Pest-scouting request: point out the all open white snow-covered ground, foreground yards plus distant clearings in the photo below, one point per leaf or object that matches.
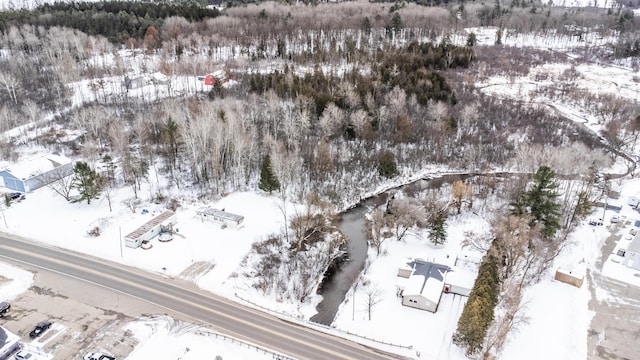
(222, 250)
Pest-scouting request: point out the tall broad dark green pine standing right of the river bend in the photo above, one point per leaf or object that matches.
(541, 201)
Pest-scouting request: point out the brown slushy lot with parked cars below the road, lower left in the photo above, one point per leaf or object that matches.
(85, 317)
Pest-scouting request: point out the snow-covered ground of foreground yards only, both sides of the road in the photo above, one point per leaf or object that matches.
(202, 242)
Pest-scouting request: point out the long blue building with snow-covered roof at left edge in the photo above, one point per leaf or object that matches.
(35, 173)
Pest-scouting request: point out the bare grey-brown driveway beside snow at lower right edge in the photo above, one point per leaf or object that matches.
(615, 328)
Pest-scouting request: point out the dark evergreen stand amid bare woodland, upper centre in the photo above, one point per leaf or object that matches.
(412, 69)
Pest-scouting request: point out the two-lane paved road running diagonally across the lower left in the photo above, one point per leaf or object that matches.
(184, 298)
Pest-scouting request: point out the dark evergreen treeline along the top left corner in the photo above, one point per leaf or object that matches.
(115, 20)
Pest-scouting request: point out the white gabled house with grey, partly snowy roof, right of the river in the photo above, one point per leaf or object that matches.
(425, 285)
